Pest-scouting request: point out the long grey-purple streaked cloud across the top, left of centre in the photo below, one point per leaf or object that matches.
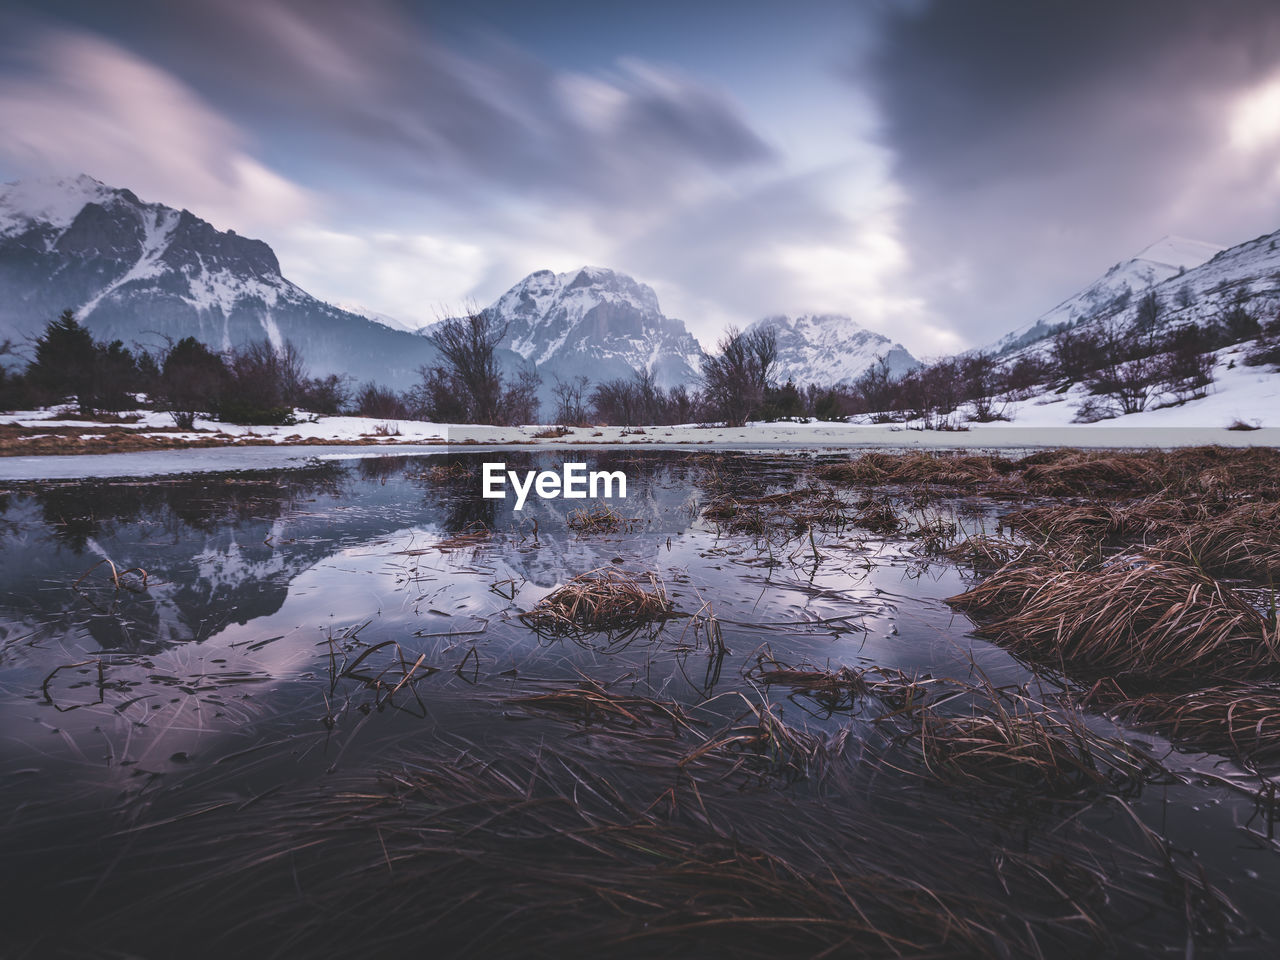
(368, 85)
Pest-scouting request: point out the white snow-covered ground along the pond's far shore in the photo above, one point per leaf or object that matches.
(1240, 395)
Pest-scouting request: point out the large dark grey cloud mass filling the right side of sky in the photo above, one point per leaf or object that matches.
(1041, 143)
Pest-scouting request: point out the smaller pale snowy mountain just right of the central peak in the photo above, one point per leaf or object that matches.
(831, 349)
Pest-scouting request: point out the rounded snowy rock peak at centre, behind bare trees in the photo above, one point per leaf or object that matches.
(596, 323)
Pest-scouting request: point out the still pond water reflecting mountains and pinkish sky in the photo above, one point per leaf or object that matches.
(231, 670)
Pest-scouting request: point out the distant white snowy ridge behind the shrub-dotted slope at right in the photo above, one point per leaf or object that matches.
(1116, 291)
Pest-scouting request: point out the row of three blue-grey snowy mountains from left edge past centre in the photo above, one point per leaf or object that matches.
(145, 272)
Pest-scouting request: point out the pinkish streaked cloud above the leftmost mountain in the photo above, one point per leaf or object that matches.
(83, 104)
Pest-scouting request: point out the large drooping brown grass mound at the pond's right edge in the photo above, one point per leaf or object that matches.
(1142, 620)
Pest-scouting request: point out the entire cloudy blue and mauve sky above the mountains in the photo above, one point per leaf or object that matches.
(940, 172)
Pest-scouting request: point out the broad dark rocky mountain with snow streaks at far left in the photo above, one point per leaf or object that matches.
(143, 272)
